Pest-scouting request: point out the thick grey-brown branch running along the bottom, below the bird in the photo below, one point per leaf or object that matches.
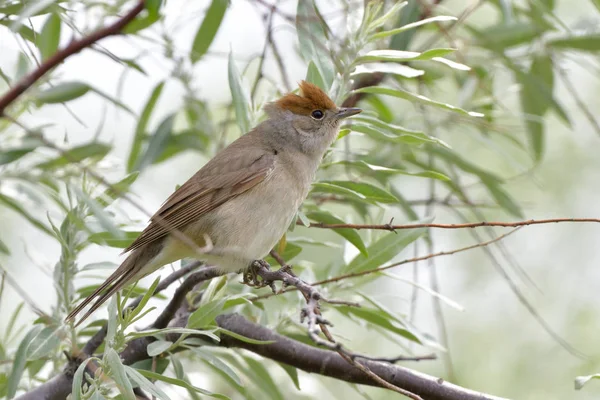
(295, 354)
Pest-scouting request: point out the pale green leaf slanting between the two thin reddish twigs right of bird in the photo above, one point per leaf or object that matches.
(384, 249)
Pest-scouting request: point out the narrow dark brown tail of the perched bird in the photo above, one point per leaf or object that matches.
(128, 272)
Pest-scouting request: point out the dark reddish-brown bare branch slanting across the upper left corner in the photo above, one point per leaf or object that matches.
(74, 47)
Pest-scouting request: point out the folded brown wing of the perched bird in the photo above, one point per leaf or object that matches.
(218, 181)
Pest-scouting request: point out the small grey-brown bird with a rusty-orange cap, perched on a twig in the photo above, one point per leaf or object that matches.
(241, 202)
